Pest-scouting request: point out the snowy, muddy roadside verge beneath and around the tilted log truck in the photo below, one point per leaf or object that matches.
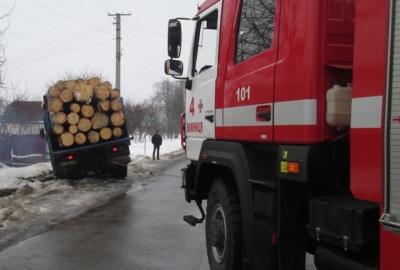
(31, 204)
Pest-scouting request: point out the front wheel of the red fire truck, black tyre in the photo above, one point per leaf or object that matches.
(223, 227)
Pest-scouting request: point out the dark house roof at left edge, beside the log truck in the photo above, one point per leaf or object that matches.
(23, 112)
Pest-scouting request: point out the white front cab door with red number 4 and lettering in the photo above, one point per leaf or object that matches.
(200, 98)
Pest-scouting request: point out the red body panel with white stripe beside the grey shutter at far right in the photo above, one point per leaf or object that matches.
(368, 111)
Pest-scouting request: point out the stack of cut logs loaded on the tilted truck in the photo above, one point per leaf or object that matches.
(85, 111)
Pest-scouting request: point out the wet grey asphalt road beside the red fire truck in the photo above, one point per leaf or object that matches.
(142, 230)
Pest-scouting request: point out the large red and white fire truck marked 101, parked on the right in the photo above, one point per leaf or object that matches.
(292, 131)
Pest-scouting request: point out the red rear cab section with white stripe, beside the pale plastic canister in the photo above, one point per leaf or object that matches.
(315, 50)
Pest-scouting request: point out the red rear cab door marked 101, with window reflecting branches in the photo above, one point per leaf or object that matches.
(248, 94)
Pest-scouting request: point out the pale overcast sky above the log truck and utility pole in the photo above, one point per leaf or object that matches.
(47, 39)
